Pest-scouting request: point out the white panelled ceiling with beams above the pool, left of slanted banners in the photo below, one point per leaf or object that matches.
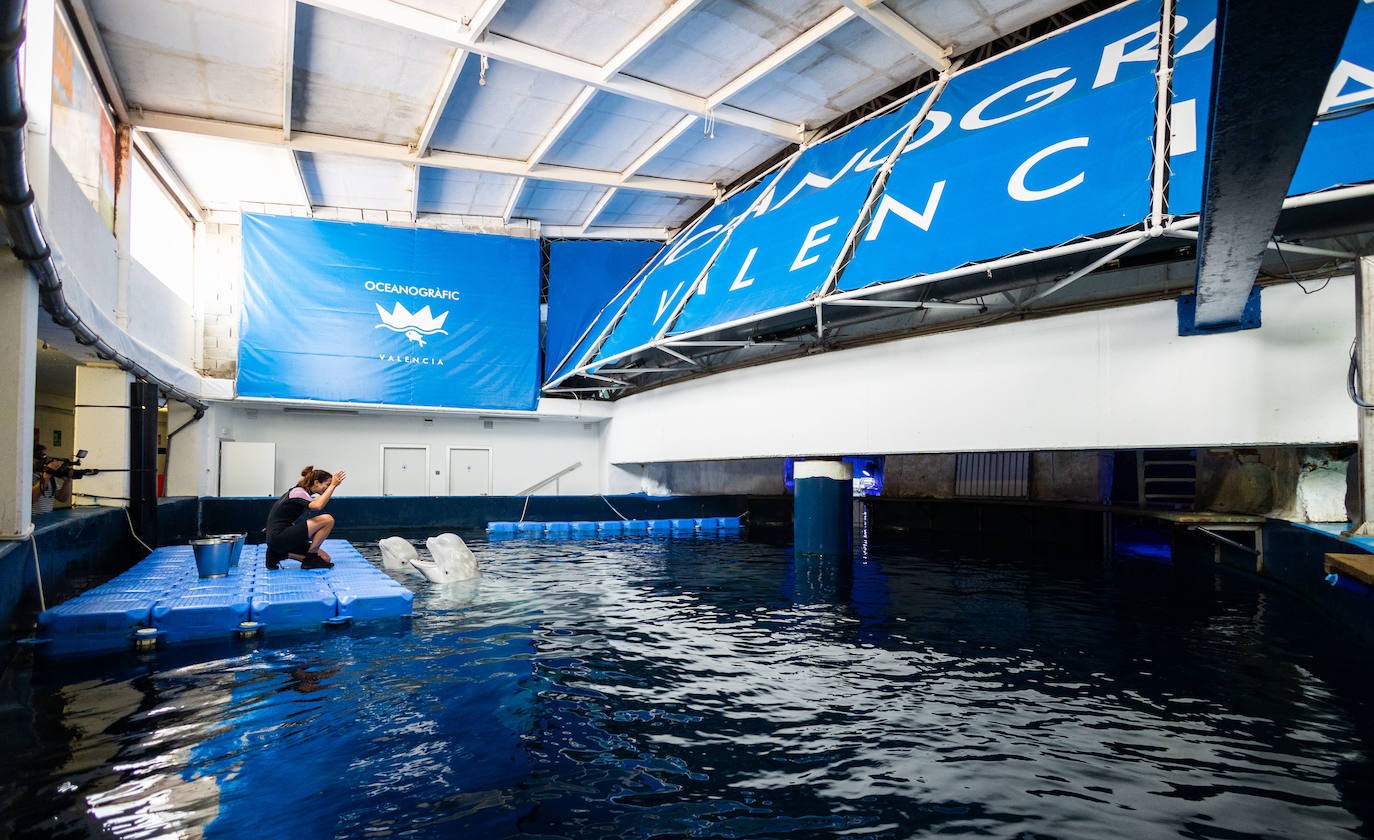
(592, 118)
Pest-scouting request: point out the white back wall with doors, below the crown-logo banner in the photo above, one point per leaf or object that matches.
(524, 452)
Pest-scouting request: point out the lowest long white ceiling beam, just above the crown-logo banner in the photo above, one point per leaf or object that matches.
(155, 122)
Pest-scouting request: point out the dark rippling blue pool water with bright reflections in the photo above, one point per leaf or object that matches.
(700, 688)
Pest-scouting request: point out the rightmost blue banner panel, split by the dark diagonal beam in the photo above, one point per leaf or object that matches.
(1338, 149)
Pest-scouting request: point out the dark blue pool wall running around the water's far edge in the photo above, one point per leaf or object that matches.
(100, 538)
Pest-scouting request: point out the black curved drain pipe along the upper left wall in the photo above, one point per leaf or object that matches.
(23, 221)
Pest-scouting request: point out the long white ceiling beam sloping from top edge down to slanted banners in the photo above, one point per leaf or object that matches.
(502, 49)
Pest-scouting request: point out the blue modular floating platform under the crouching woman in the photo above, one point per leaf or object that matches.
(164, 593)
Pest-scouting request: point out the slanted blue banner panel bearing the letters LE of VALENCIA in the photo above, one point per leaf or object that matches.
(785, 255)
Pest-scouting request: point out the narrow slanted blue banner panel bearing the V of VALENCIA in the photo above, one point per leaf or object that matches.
(677, 270)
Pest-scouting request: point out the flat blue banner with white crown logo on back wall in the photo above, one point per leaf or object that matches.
(362, 313)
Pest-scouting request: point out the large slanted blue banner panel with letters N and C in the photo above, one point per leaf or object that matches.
(1033, 149)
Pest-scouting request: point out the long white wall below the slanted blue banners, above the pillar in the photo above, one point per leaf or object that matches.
(1114, 379)
